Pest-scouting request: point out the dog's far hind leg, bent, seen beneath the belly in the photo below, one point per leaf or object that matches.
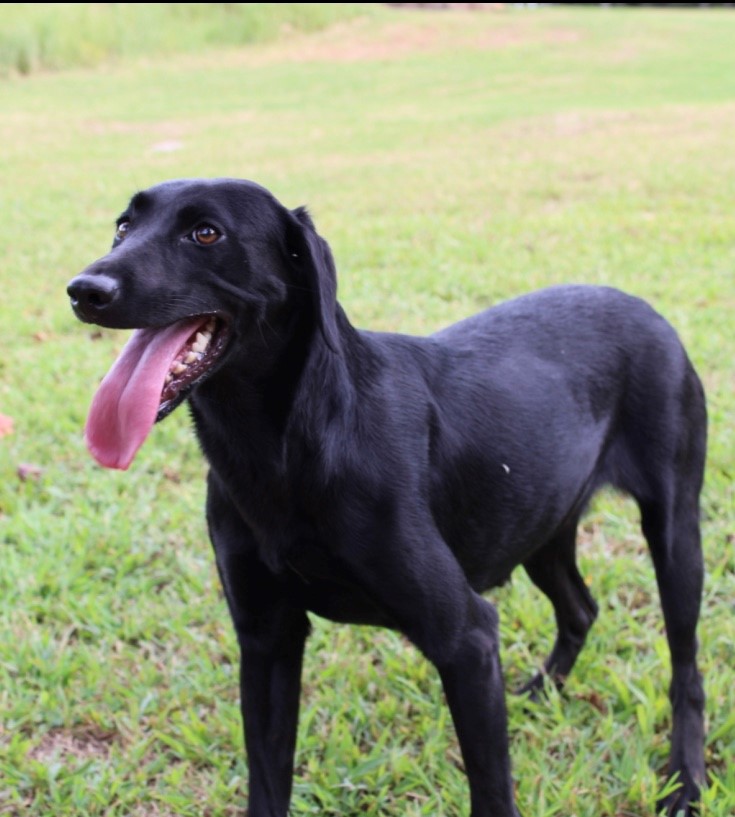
(553, 569)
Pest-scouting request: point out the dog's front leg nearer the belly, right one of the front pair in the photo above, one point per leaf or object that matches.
(416, 579)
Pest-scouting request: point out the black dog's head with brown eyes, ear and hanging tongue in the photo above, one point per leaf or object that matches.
(202, 270)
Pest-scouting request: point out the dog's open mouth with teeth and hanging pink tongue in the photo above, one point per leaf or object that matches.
(156, 370)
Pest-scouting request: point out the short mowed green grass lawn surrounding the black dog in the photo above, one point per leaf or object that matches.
(452, 160)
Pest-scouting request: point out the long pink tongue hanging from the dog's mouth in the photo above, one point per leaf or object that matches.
(125, 406)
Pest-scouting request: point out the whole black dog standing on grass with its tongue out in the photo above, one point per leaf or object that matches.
(390, 480)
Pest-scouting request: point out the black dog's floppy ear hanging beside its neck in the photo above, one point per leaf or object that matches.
(311, 254)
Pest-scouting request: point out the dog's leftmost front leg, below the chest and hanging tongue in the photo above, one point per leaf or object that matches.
(271, 632)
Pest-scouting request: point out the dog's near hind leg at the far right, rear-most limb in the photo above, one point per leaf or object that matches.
(670, 447)
